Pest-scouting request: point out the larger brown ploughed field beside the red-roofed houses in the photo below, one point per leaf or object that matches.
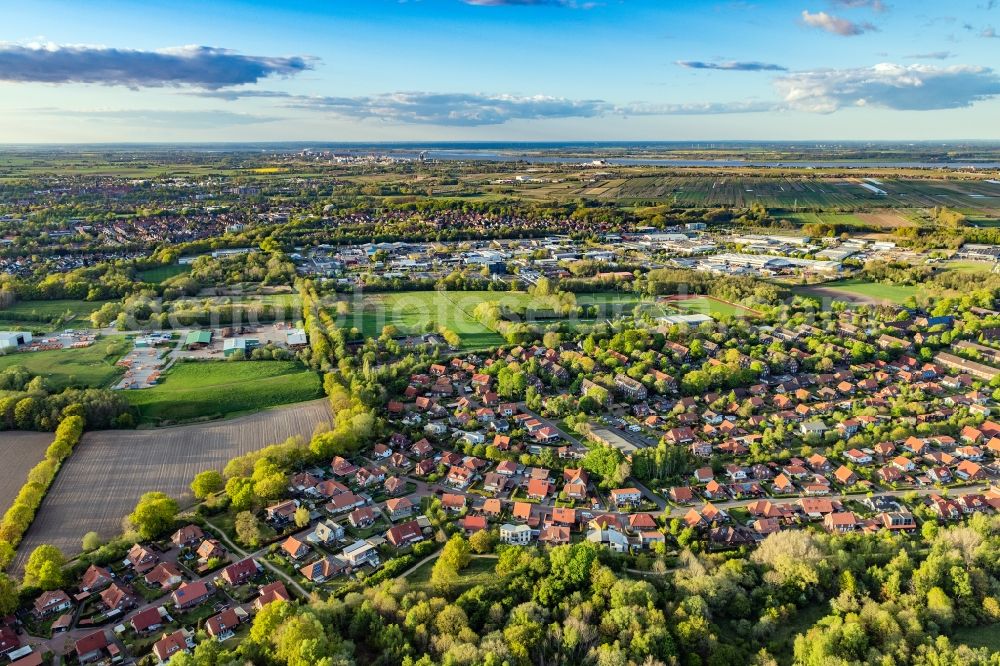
(109, 470)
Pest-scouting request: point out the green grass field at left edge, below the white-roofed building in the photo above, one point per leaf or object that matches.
(92, 366)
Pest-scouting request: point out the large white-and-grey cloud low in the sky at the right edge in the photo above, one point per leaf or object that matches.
(890, 86)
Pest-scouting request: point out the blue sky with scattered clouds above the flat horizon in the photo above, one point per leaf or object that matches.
(498, 70)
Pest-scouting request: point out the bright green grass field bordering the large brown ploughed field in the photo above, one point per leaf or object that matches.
(213, 389)
